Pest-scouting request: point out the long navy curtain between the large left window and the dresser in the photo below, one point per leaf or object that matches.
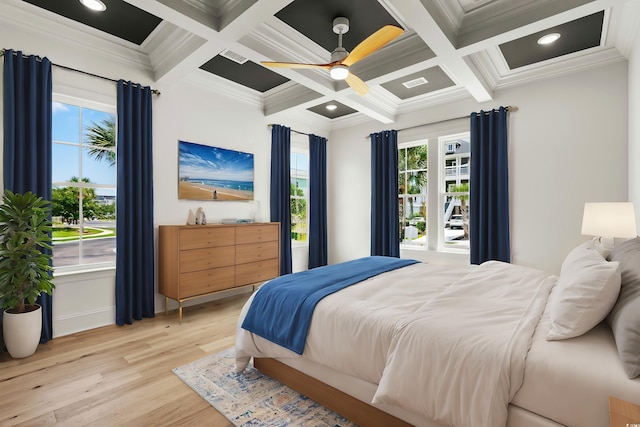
(134, 210)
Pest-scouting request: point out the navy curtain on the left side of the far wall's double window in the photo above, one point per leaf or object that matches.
(385, 239)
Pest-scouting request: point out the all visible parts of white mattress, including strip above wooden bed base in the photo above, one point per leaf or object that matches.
(565, 383)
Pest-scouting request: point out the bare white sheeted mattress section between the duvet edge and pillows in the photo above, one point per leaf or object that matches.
(570, 381)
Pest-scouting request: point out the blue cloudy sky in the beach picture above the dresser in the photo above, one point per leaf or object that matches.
(198, 161)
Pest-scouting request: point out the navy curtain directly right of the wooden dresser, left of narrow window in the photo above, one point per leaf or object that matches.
(280, 191)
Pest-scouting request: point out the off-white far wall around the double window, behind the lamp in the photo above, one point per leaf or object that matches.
(567, 146)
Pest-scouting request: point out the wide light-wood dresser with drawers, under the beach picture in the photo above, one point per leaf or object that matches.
(198, 260)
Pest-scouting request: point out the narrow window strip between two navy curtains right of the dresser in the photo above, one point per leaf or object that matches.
(299, 194)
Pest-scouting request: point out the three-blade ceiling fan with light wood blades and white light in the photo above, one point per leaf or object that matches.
(341, 60)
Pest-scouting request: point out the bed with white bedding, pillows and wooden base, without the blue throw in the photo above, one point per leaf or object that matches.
(496, 344)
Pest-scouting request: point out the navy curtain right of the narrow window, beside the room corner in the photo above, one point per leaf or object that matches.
(318, 252)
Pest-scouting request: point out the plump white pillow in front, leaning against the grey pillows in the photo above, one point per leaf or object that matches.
(585, 293)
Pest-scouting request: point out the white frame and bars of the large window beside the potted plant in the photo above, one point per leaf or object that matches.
(97, 106)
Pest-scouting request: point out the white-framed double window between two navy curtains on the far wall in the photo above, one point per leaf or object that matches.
(433, 183)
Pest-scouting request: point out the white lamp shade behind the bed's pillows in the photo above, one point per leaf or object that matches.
(611, 219)
